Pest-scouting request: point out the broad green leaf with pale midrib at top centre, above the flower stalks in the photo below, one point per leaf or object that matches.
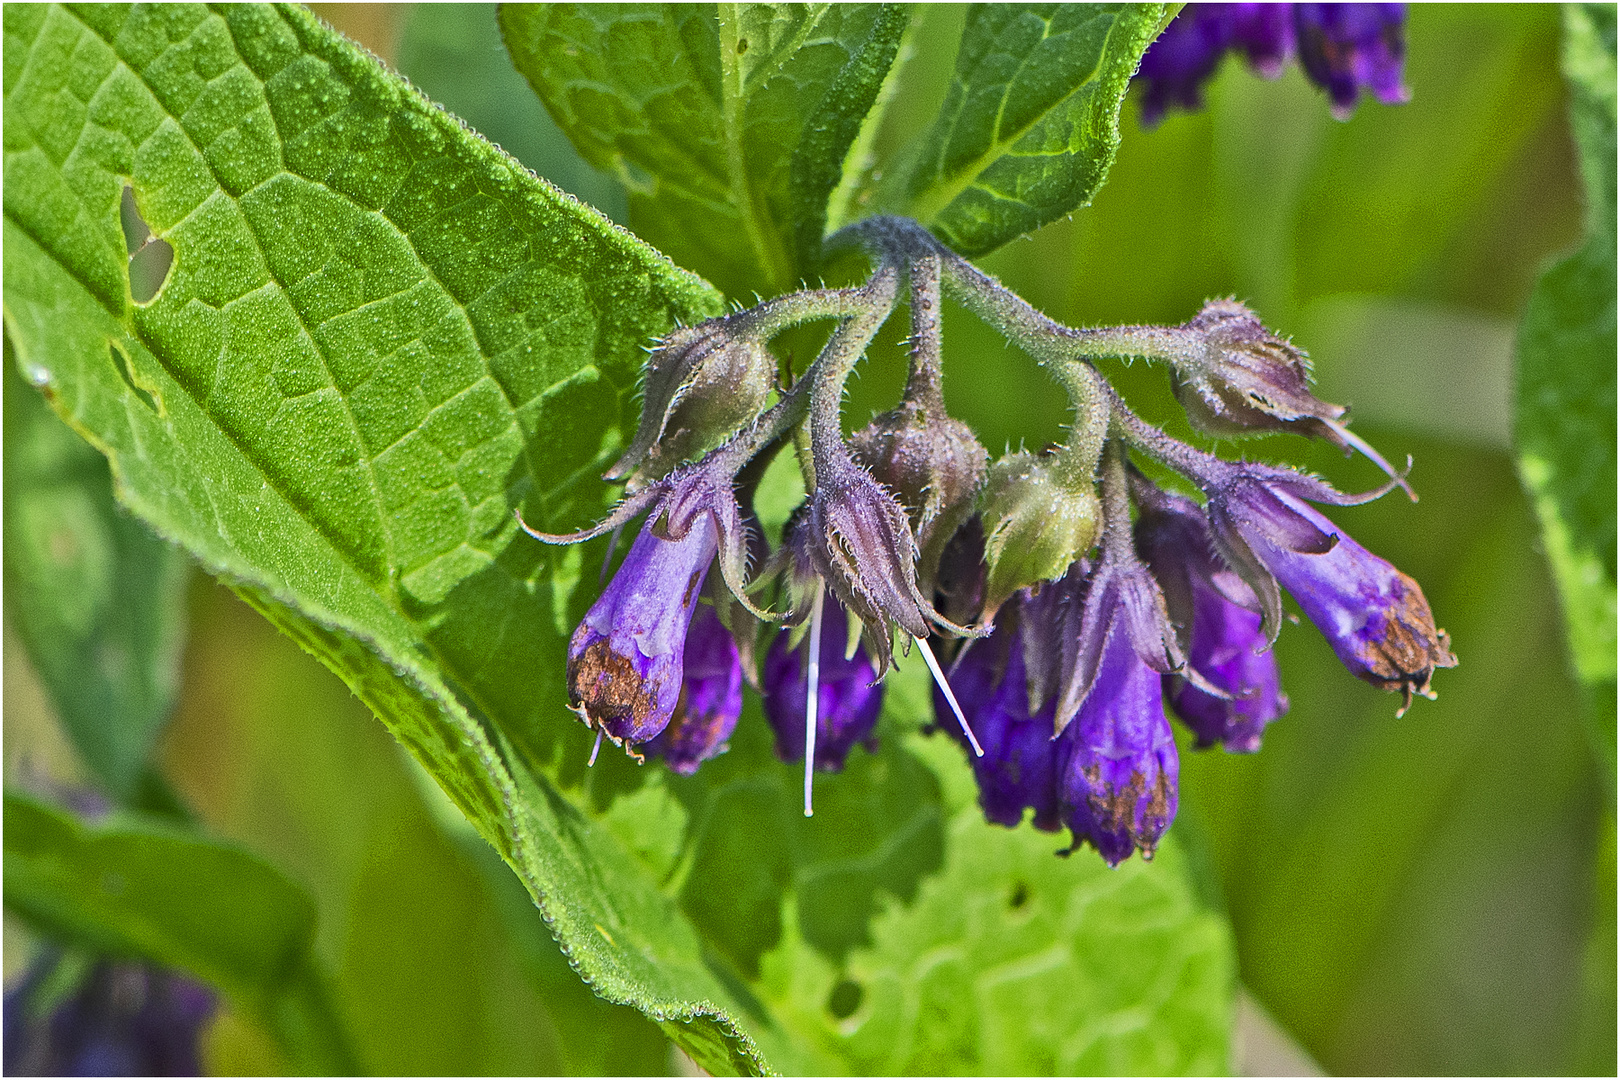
(730, 124)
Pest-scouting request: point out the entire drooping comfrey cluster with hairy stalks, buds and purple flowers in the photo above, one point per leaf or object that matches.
(1070, 619)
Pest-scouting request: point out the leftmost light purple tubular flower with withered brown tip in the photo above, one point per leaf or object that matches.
(626, 660)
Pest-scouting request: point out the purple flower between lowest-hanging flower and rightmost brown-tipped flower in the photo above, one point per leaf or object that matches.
(1219, 616)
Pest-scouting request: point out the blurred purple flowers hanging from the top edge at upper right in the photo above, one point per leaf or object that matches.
(1344, 48)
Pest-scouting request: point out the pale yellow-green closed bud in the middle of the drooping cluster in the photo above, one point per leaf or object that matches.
(1036, 525)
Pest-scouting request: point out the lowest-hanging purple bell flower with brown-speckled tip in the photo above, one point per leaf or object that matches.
(1117, 762)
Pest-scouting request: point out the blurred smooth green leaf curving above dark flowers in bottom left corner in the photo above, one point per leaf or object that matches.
(134, 888)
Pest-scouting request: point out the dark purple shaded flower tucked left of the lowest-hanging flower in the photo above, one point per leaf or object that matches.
(1018, 768)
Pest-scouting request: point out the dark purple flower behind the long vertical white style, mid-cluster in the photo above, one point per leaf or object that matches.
(848, 700)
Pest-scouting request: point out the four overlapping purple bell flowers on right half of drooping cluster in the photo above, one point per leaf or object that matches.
(1086, 742)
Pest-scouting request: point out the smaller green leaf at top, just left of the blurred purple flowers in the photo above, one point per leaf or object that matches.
(1031, 122)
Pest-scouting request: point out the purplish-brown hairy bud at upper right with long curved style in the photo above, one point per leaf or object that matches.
(1250, 381)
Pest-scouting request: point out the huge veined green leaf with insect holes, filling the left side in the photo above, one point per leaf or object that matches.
(377, 338)
